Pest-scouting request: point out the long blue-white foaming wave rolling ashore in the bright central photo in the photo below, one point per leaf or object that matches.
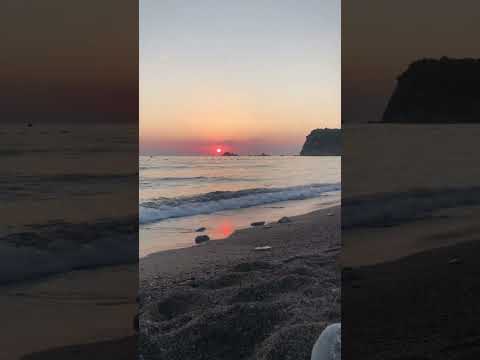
(161, 209)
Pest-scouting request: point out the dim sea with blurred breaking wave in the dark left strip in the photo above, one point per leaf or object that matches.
(68, 196)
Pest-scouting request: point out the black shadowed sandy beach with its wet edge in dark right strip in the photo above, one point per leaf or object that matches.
(423, 305)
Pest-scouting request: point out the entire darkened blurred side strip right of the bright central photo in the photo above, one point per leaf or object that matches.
(410, 203)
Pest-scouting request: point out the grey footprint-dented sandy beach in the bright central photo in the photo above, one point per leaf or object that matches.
(224, 300)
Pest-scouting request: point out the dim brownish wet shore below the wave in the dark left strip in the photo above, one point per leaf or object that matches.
(82, 314)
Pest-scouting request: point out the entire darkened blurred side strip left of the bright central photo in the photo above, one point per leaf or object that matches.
(69, 179)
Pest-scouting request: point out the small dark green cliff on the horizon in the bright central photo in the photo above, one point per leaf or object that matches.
(323, 142)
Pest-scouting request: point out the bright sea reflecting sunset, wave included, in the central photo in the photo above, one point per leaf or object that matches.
(179, 194)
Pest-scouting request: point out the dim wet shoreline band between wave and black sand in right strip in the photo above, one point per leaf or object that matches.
(442, 228)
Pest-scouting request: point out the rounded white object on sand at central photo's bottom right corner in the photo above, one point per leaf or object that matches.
(329, 344)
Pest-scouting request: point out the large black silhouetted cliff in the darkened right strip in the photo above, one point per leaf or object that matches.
(437, 91)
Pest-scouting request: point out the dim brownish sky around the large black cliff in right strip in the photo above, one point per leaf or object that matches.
(380, 40)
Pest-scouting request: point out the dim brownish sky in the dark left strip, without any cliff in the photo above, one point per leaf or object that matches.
(69, 61)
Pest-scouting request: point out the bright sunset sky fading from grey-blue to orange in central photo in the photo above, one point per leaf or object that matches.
(249, 76)
